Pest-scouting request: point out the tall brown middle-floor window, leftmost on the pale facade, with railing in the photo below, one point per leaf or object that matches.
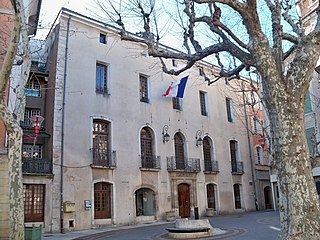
(101, 143)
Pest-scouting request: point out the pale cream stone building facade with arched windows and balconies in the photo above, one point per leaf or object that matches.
(121, 152)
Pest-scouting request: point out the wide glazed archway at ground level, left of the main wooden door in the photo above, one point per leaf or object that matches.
(145, 202)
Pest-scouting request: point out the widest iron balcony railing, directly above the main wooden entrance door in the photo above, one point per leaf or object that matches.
(186, 164)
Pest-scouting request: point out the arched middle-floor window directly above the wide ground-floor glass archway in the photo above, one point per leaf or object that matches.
(147, 155)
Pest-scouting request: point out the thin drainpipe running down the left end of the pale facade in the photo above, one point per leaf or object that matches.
(62, 124)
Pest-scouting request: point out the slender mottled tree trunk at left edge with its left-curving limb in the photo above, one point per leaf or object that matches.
(16, 218)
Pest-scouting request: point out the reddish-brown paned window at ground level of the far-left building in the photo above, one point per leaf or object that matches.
(34, 199)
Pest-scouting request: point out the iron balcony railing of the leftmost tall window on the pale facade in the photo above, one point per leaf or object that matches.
(103, 158)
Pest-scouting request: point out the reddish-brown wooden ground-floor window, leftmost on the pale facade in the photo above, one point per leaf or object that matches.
(102, 200)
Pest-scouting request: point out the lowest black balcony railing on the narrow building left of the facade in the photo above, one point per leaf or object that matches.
(39, 166)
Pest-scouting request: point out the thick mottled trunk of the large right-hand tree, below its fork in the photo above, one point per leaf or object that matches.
(299, 202)
